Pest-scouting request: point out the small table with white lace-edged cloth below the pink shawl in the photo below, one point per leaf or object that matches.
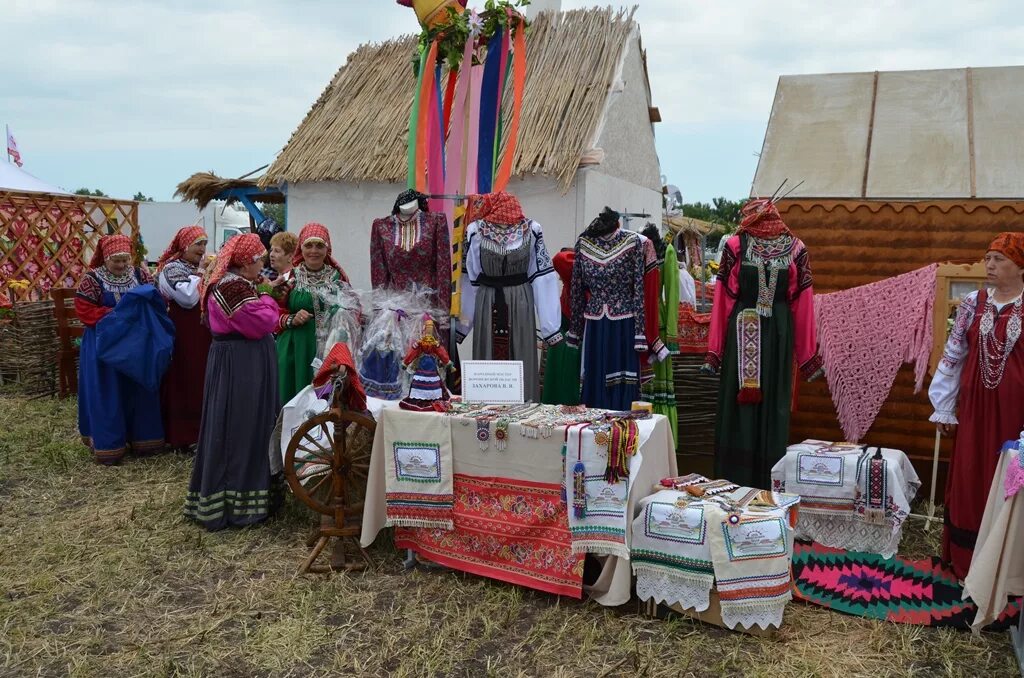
(850, 498)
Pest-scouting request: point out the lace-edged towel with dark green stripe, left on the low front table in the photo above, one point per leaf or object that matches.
(670, 553)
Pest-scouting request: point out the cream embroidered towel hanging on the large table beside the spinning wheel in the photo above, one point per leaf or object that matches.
(418, 465)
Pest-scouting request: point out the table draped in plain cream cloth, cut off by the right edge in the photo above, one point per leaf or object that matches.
(998, 567)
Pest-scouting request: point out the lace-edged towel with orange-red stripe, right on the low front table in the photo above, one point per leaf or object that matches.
(752, 565)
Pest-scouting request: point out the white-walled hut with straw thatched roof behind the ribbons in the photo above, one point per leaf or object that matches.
(587, 137)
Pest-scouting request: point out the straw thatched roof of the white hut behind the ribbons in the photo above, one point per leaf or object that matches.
(358, 130)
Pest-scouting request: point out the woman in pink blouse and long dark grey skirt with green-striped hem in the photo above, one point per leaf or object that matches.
(231, 482)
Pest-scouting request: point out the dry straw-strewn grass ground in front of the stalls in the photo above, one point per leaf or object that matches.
(100, 576)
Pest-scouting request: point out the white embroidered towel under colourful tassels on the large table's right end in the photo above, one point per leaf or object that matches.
(603, 530)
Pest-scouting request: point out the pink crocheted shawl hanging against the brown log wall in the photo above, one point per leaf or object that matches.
(867, 334)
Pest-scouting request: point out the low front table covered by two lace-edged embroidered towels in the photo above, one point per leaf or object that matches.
(727, 557)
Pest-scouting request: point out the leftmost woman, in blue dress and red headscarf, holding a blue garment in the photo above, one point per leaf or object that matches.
(114, 413)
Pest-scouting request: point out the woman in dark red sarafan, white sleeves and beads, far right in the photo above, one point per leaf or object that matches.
(978, 394)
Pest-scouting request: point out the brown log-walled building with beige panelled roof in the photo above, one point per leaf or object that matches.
(901, 171)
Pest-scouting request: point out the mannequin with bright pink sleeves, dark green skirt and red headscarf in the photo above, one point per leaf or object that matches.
(762, 321)
